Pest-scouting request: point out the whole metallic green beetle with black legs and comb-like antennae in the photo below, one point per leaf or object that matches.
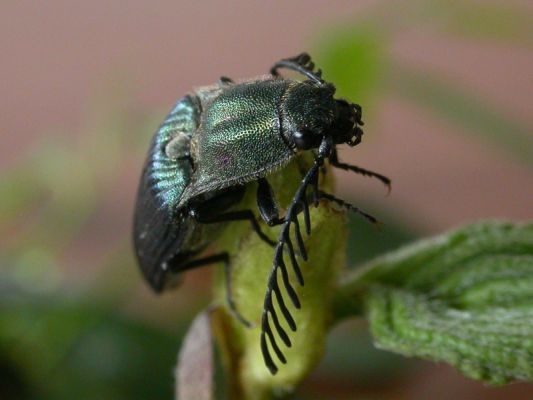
(213, 143)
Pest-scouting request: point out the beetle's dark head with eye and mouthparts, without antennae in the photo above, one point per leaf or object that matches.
(310, 113)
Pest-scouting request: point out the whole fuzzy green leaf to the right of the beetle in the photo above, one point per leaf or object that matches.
(465, 298)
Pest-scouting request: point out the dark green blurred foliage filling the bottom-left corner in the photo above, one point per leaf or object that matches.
(55, 348)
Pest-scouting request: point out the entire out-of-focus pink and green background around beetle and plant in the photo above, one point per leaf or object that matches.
(446, 89)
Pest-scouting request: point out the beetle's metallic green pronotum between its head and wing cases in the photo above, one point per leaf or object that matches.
(239, 138)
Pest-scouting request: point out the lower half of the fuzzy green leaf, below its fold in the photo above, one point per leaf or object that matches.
(493, 345)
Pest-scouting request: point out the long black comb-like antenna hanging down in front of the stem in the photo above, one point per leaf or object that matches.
(299, 200)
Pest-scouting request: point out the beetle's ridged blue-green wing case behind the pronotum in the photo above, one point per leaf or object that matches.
(159, 229)
